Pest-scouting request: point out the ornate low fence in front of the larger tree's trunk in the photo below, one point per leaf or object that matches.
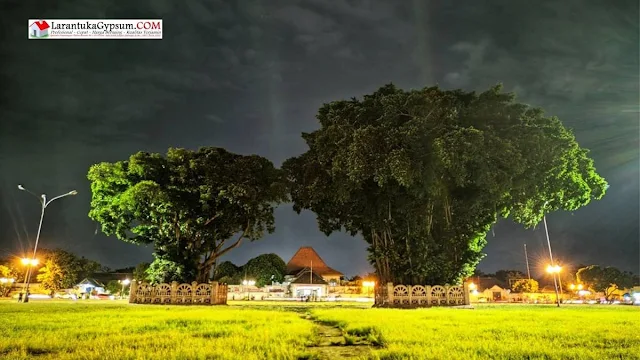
(421, 295)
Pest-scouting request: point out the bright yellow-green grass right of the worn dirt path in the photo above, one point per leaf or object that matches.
(497, 332)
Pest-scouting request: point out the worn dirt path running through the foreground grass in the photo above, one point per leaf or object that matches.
(330, 342)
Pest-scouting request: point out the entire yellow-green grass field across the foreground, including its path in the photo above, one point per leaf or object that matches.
(108, 330)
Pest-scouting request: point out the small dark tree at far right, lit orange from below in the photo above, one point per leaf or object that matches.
(604, 279)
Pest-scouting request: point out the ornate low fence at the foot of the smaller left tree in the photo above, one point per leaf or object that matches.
(198, 294)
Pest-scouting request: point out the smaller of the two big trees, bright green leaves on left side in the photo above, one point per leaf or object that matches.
(187, 204)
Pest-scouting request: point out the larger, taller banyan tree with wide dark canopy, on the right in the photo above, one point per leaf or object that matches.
(422, 175)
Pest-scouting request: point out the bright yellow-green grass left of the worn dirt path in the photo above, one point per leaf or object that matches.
(104, 330)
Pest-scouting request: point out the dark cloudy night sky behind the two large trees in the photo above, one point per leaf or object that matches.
(250, 75)
